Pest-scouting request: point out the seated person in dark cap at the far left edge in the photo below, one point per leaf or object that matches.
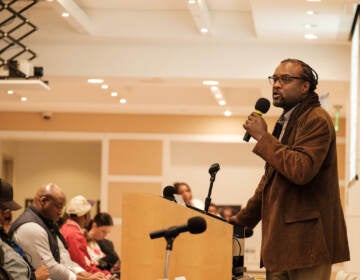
(13, 260)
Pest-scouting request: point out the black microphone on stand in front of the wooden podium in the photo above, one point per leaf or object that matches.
(195, 225)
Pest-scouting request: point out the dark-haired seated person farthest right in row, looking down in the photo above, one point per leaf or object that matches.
(102, 250)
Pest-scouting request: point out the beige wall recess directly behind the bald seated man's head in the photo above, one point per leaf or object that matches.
(74, 166)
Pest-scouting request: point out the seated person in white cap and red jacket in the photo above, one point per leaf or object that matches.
(73, 230)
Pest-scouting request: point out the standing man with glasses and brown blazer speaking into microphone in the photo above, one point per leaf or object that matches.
(297, 199)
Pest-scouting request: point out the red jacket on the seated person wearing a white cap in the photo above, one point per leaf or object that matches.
(77, 246)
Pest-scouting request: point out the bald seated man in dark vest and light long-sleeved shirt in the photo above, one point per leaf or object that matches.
(38, 235)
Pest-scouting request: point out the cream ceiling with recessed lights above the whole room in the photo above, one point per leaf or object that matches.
(152, 53)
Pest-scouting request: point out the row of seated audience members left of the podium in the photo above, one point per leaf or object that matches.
(36, 246)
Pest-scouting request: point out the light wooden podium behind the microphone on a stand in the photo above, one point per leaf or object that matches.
(205, 256)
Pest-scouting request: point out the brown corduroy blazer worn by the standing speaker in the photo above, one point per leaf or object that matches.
(298, 197)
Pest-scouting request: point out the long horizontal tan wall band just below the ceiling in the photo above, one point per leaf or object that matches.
(120, 123)
